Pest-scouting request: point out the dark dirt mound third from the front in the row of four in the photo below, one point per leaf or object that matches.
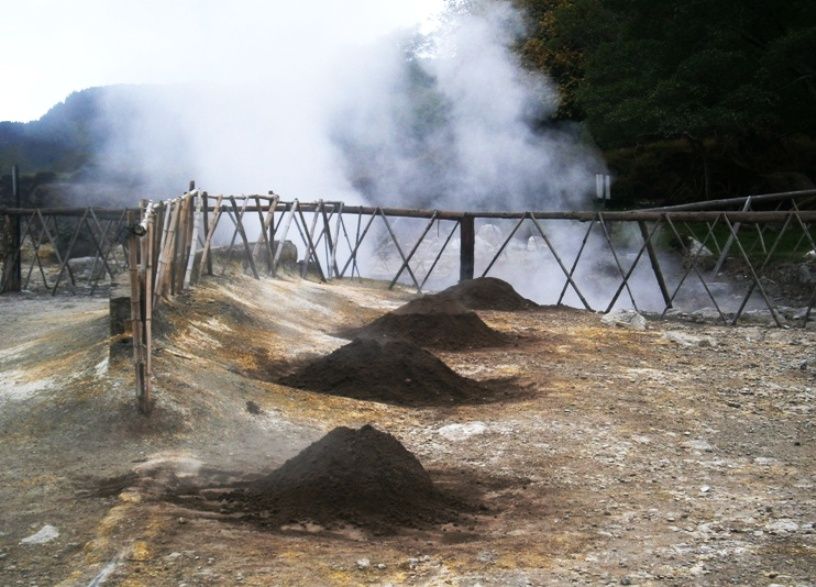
(433, 322)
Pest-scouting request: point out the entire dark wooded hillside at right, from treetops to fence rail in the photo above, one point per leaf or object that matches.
(689, 99)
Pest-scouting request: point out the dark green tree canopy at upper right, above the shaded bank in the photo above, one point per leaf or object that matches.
(643, 70)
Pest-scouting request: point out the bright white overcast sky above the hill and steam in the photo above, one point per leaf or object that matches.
(50, 48)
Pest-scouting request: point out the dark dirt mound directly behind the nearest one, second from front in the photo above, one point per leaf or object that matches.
(391, 371)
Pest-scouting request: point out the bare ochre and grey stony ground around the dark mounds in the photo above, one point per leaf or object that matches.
(631, 457)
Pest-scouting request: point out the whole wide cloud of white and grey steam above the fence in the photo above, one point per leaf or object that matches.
(439, 120)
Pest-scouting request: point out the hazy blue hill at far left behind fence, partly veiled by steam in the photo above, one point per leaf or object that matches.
(67, 155)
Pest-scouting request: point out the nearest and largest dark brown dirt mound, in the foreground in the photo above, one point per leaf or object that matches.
(362, 477)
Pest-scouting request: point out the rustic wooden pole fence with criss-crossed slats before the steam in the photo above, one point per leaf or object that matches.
(166, 247)
